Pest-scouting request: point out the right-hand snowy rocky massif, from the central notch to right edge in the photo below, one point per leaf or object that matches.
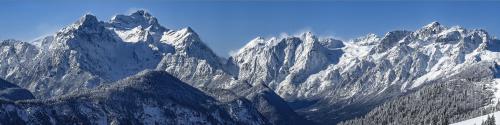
(332, 77)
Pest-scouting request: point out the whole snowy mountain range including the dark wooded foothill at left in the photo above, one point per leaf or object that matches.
(87, 67)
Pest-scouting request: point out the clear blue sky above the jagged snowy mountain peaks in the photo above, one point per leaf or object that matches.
(226, 25)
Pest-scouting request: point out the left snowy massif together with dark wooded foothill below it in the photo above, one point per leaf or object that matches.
(90, 53)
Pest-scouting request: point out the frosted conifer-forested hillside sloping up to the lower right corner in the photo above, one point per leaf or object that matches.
(463, 96)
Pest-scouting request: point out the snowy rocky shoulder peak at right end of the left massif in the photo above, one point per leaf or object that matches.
(194, 62)
